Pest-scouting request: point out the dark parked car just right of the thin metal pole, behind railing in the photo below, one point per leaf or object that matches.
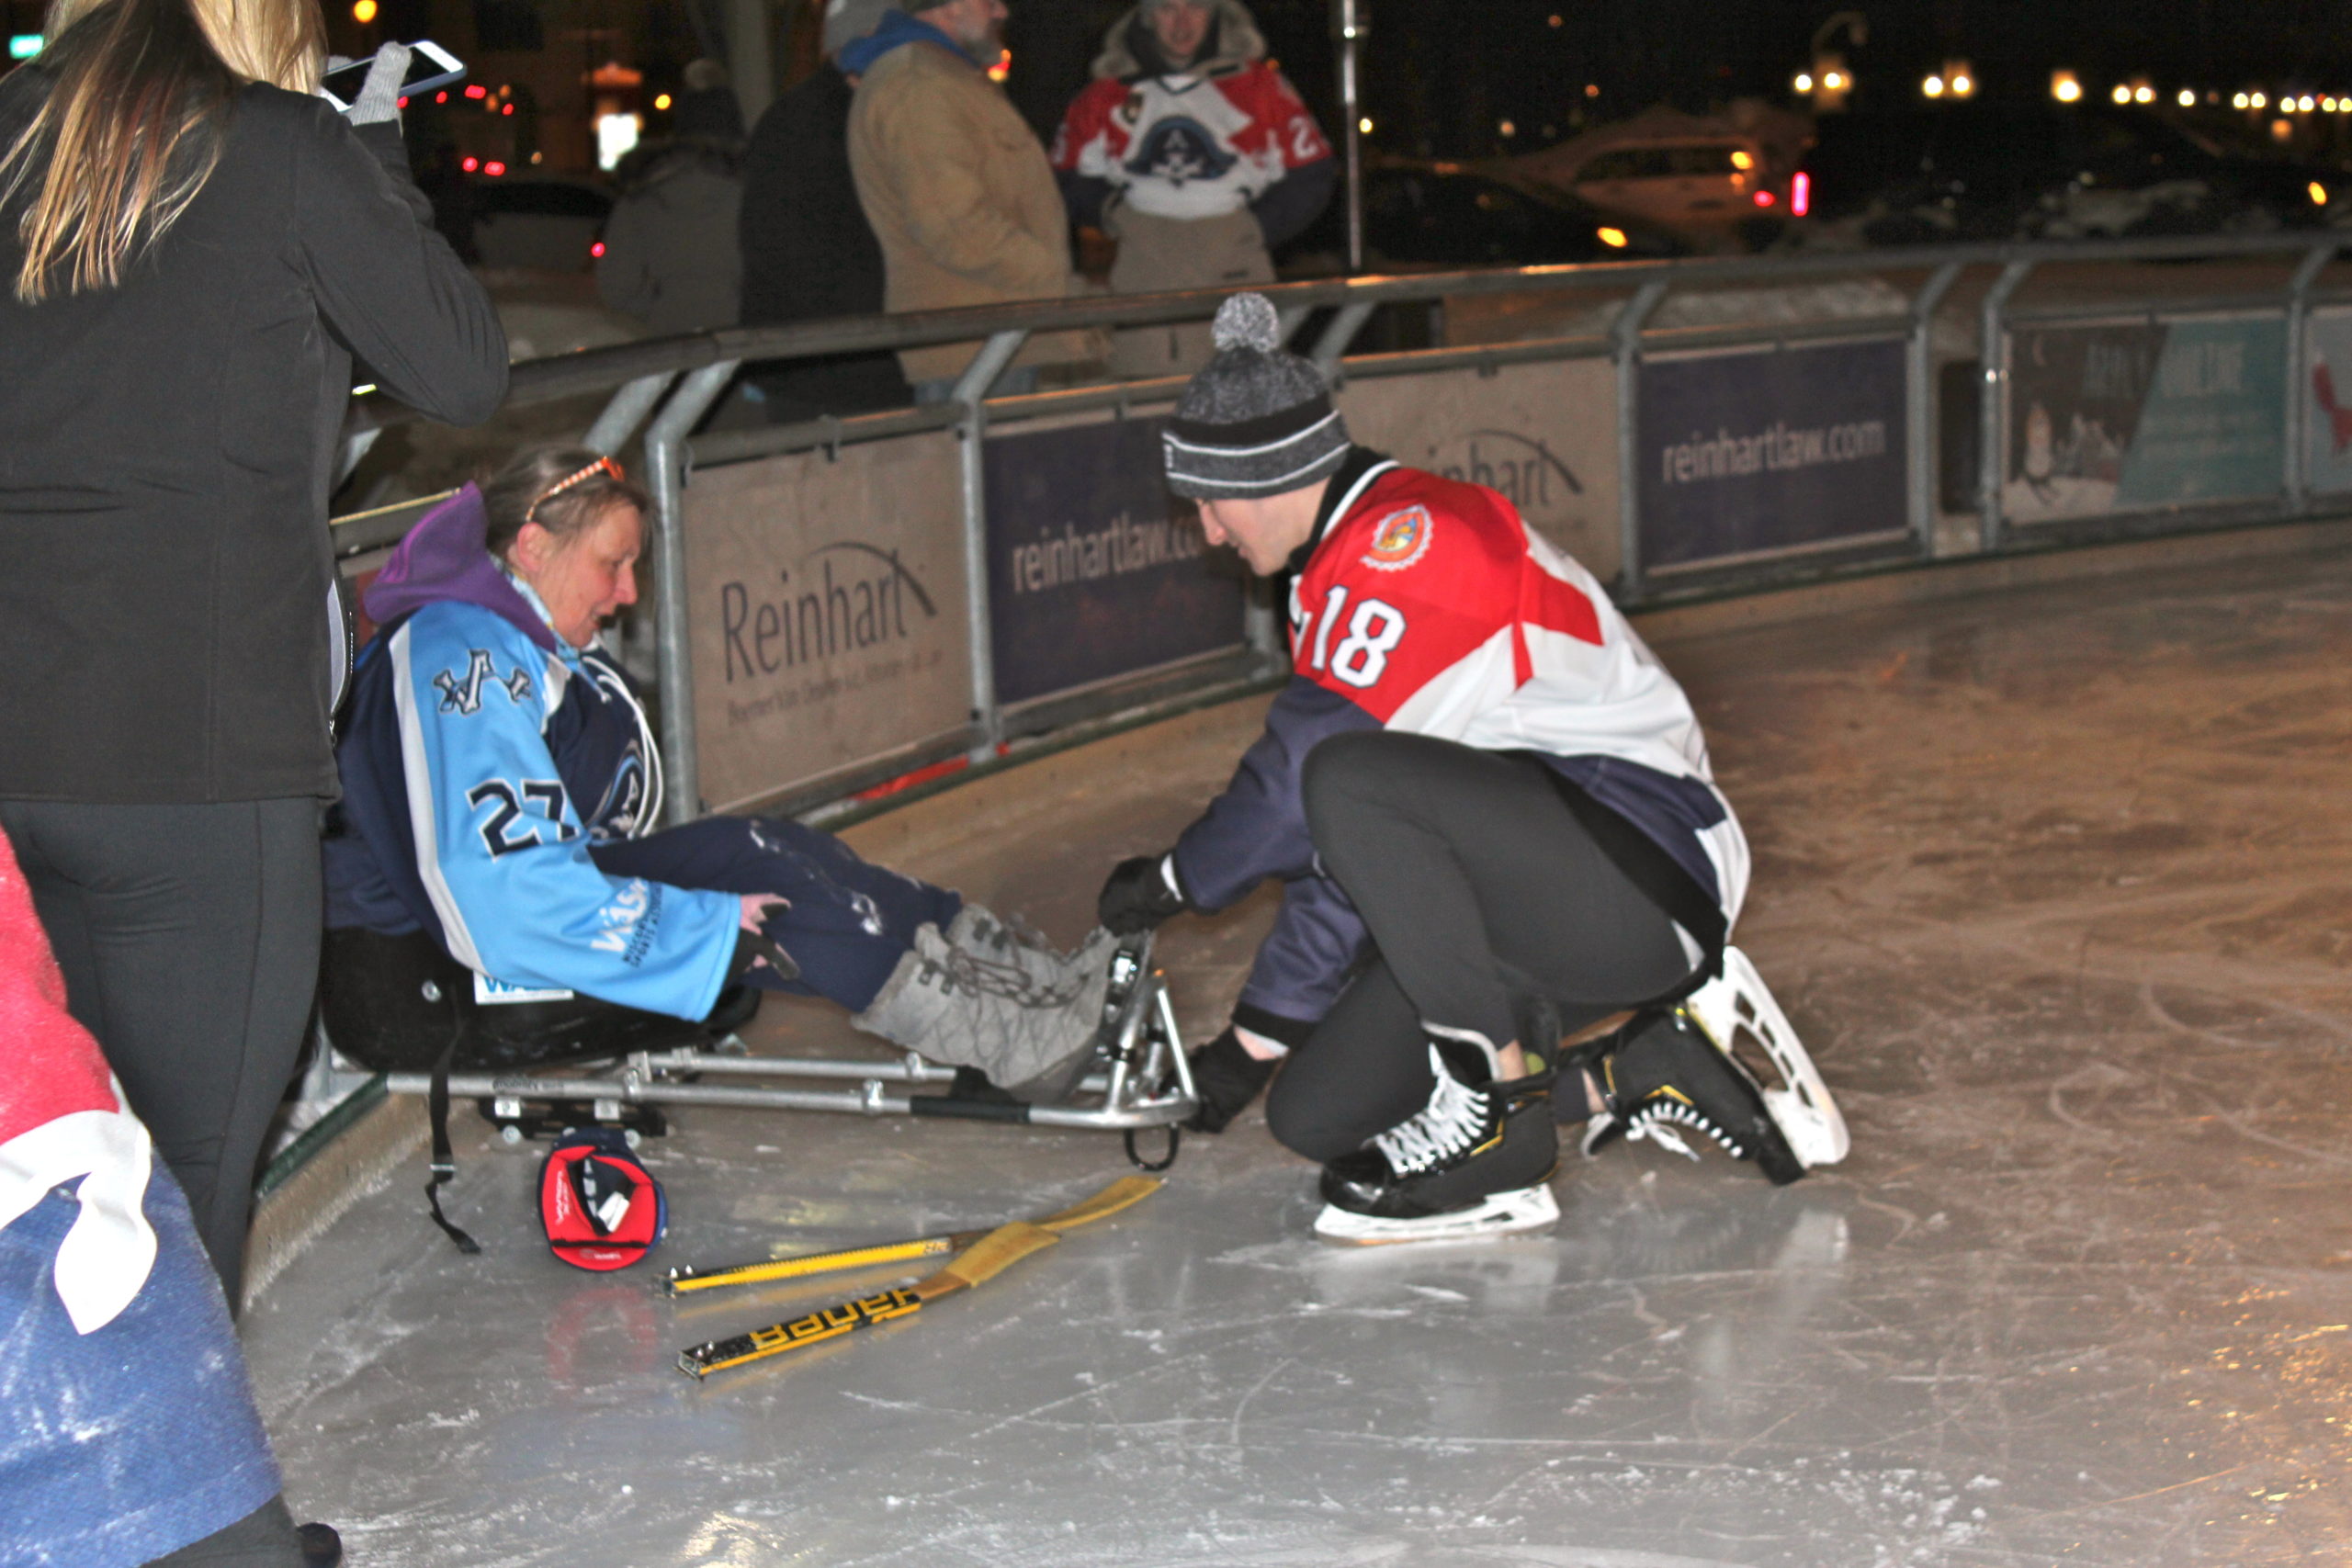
(1448, 215)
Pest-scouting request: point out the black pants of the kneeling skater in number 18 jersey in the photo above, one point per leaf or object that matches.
(1485, 897)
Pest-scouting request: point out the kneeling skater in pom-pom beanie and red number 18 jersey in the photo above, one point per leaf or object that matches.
(1495, 824)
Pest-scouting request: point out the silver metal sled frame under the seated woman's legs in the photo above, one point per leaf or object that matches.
(1140, 1078)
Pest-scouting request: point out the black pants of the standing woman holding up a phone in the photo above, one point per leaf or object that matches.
(189, 942)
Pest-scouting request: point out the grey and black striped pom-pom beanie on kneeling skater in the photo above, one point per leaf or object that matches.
(1257, 420)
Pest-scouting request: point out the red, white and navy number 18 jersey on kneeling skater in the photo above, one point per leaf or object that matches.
(1429, 605)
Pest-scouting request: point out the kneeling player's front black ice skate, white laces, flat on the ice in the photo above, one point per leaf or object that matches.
(1474, 1162)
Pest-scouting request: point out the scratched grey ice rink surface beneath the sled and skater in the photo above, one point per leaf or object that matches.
(2054, 883)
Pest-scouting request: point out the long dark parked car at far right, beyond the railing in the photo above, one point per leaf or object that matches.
(2038, 170)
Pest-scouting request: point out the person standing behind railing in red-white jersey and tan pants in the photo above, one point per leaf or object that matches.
(1196, 156)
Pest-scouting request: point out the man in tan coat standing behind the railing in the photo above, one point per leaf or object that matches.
(956, 185)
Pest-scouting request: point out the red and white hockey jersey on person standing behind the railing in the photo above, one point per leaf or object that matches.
(1191, 145)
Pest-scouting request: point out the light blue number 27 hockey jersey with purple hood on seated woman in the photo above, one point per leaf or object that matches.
(481, 760)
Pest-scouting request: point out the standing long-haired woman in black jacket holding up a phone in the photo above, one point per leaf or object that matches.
(194, 253)
